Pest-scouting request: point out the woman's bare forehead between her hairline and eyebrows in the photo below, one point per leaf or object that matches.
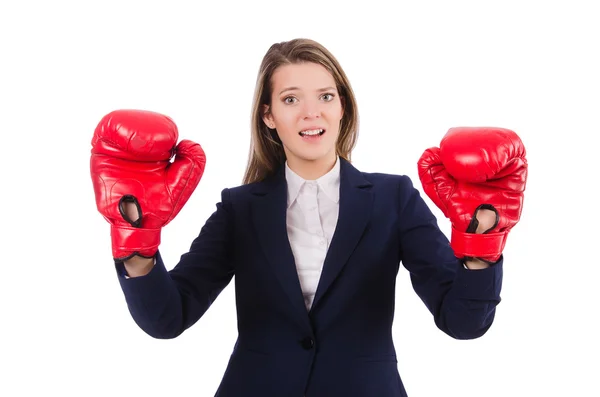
(304, 76)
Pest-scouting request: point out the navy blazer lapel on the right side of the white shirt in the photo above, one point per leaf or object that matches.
(354, 214)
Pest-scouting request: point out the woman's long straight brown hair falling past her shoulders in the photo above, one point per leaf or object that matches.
(266, 150)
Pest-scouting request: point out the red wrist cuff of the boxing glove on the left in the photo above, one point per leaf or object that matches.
(130, 241)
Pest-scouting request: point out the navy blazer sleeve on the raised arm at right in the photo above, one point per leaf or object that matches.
(463, 302)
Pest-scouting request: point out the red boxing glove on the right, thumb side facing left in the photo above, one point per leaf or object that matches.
(476, 168)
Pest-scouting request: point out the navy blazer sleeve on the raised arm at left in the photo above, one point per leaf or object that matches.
(166, 303)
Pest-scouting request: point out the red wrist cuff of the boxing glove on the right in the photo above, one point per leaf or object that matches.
(487, 246)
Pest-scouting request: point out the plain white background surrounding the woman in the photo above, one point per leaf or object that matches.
(418, 68)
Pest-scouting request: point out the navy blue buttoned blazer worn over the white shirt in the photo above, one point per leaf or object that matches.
(343, 346)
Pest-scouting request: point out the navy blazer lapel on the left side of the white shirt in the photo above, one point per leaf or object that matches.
(269, 213)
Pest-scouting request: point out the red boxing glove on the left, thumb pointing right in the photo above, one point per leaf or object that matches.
(130, 162)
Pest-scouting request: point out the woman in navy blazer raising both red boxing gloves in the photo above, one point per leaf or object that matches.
(314, 243)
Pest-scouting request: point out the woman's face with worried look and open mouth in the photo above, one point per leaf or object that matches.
(306, 111)
